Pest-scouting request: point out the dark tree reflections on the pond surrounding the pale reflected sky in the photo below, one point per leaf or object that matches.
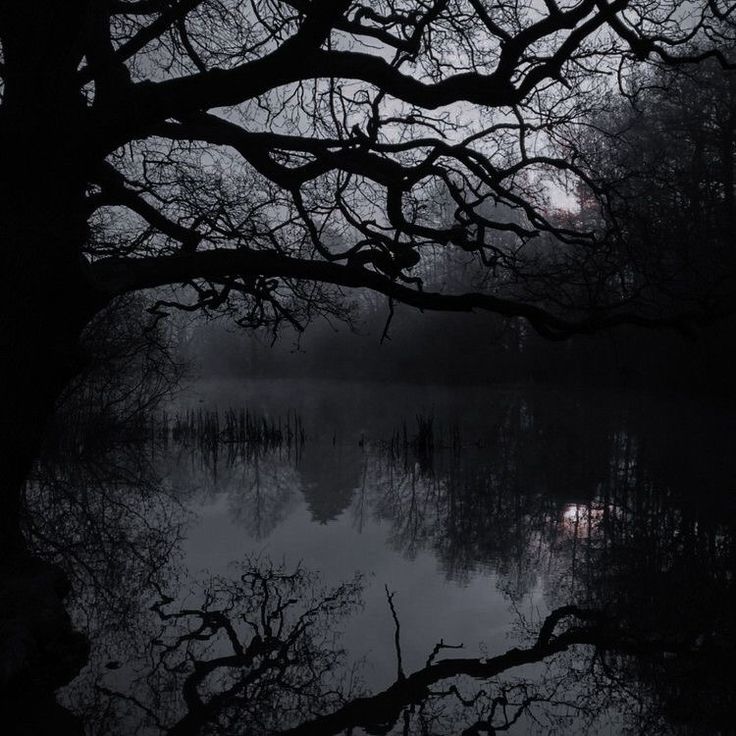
(635, 554)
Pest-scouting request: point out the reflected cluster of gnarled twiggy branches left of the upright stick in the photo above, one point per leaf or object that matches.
(256, 653)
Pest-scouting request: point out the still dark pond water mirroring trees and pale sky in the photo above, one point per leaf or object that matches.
(260, 572)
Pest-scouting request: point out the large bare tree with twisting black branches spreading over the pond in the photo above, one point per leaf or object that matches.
(268, 153)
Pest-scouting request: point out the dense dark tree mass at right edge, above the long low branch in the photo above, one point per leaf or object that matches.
(664, 152)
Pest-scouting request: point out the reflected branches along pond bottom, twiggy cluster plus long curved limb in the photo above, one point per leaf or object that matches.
(260, 654)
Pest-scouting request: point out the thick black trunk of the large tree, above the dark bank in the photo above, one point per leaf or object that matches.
(46, 297)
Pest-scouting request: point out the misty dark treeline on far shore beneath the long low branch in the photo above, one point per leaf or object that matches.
(475, 349)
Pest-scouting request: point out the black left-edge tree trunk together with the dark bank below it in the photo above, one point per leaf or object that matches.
(46, 298)
